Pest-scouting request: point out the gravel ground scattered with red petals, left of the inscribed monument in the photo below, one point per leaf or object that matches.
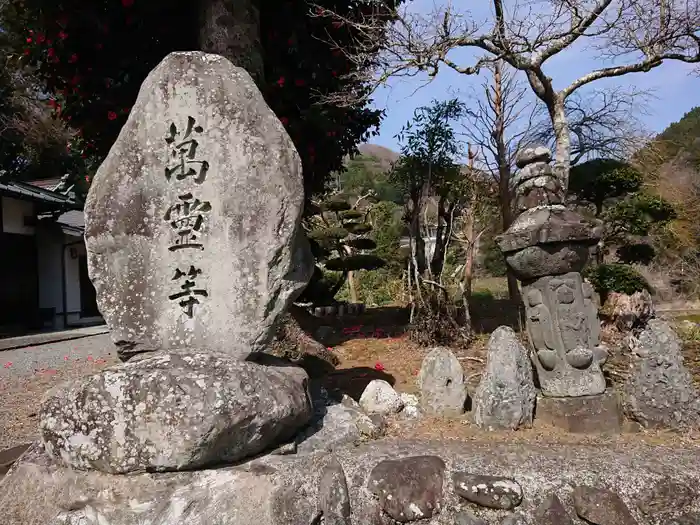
(27, 373)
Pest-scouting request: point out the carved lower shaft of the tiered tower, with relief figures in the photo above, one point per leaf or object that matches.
(562, 323)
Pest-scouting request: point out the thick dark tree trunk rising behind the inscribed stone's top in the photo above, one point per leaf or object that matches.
(231, 28)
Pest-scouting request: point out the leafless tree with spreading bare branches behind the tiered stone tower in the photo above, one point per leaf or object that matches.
(631, 35)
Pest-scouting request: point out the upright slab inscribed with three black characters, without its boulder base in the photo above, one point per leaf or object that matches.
(193, 219)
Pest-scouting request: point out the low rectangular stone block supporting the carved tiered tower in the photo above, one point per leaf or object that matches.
(581, 415)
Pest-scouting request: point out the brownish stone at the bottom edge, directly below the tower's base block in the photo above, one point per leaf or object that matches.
(601, 507)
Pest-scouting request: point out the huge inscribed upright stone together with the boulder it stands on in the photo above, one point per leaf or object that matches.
(194, 245)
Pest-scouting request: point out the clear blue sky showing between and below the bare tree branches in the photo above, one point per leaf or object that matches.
(675, 89)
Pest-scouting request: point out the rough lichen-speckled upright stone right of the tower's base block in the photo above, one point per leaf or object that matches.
(659, 392)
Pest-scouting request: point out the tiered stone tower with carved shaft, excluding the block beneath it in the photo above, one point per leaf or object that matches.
(546, 247)
